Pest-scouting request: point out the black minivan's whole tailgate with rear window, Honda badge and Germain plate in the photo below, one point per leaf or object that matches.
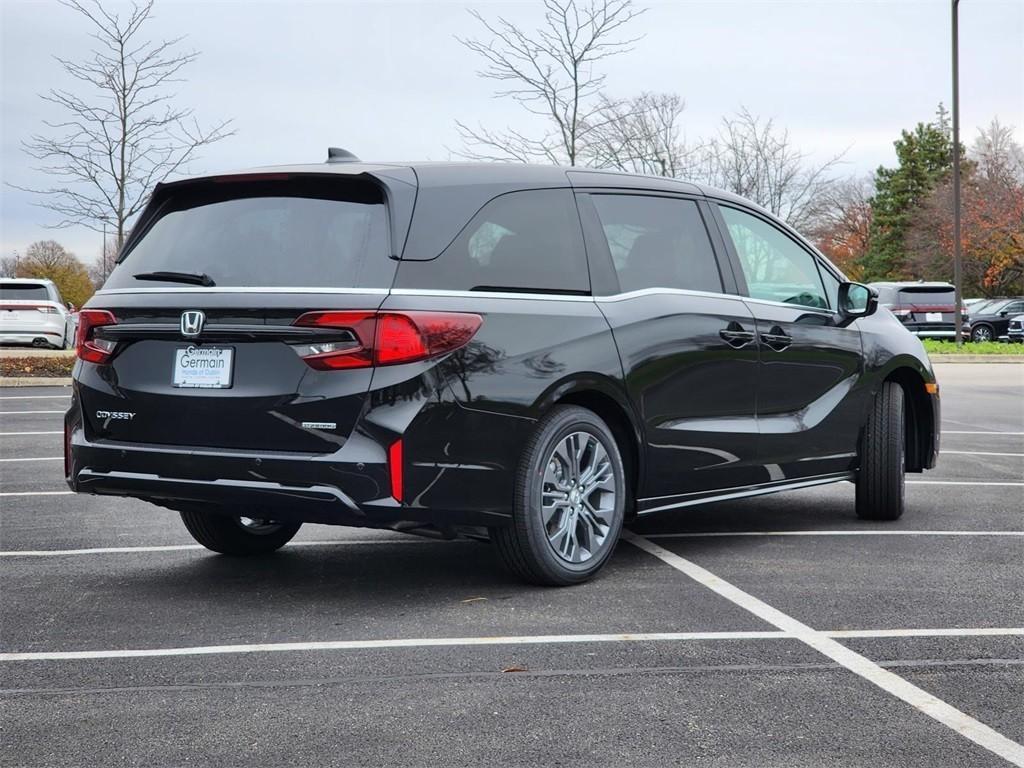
(210, 334)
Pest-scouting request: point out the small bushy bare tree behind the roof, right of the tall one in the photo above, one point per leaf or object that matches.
(641, 136)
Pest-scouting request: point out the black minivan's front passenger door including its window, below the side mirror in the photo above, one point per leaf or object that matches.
(812, 402)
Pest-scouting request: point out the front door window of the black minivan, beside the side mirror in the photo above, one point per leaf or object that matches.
(777, 269)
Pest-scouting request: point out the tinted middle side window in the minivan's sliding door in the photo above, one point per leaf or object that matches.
(658, 243)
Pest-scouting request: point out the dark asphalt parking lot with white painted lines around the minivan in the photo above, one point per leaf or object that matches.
(778, 631)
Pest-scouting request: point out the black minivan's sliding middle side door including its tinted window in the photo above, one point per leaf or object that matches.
(689, 351)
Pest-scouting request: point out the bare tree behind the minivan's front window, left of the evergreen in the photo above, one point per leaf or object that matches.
(752, 158)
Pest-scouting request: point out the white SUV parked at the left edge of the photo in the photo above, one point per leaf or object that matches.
(32, 313)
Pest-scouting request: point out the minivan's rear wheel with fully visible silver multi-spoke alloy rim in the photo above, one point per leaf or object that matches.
(572, 540)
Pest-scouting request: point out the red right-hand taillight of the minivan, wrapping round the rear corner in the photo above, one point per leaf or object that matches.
(386, 338)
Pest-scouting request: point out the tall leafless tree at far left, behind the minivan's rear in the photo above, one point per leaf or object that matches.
(120, 134)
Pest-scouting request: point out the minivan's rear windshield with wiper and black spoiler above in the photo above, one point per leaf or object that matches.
(288, 234)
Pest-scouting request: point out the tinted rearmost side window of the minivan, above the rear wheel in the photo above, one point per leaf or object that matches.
(526, 241)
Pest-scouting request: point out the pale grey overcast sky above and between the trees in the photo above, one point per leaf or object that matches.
(388, 80)
